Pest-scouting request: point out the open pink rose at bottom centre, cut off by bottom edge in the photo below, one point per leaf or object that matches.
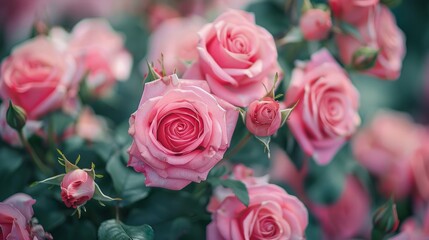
(272, 214)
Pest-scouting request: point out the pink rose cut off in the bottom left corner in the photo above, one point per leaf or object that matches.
(15, 215)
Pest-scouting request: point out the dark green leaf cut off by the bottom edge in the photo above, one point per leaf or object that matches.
(115, 230)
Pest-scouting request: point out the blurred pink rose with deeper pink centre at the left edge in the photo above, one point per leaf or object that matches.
(38, 77)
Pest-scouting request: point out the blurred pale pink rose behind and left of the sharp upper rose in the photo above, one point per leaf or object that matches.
(181, 52)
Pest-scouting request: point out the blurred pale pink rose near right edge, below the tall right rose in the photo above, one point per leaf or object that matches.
(385, 147)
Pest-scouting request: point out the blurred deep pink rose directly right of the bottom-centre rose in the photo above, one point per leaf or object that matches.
(345, 218)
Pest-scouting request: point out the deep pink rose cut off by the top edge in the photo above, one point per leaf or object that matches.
(352, 11)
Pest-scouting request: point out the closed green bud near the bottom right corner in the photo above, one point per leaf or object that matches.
(385, 218)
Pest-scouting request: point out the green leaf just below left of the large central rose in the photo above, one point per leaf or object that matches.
(127, 183)
